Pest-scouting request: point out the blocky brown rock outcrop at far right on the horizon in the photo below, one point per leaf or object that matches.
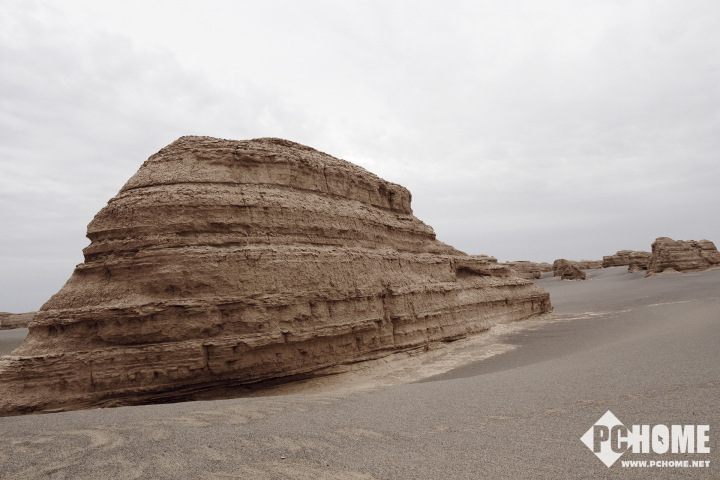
(682, 256)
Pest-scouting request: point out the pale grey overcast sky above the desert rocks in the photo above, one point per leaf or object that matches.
(524, 130)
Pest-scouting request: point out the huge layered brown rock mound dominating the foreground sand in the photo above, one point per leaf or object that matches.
(222, 263)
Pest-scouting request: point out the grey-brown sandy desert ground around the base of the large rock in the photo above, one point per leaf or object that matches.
(512, 403)
